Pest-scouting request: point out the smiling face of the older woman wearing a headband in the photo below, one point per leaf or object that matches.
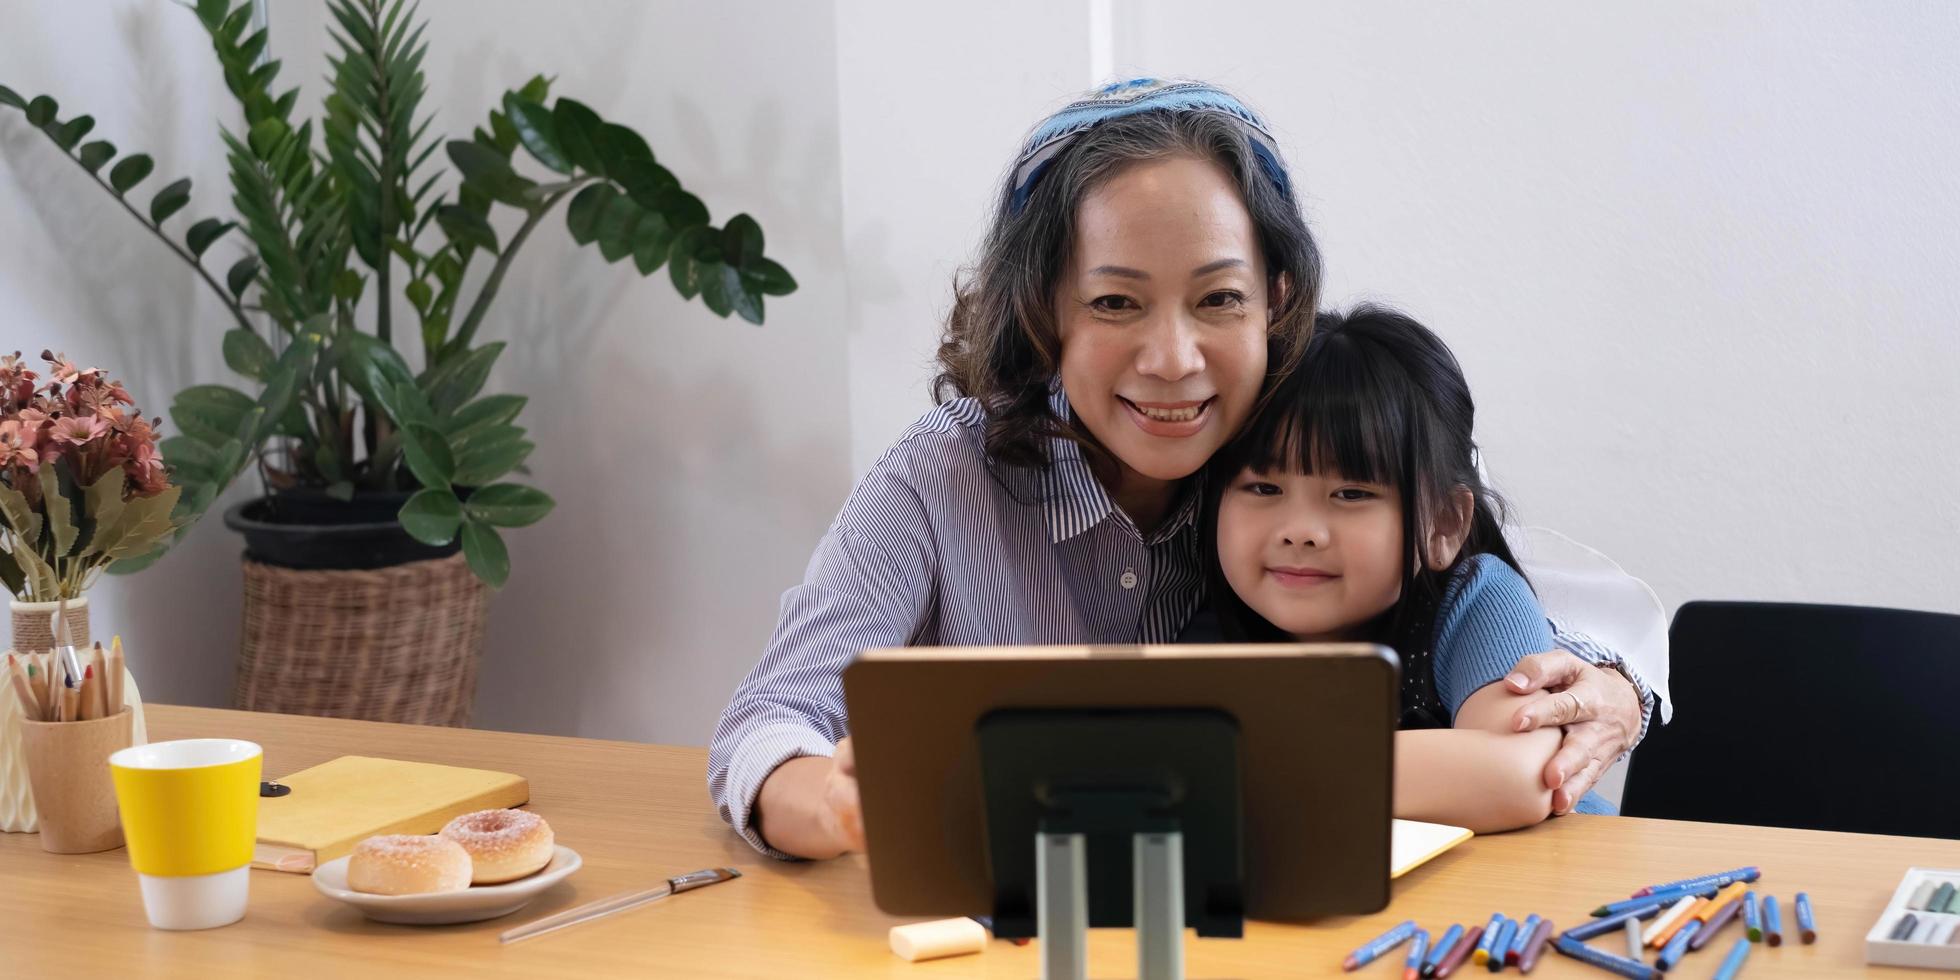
(1163, 317)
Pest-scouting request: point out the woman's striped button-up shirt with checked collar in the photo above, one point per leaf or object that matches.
(940, 548)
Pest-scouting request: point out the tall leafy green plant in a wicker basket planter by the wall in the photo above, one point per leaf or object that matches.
(387, 487)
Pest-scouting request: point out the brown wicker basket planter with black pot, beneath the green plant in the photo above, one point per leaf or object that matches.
(395, 636)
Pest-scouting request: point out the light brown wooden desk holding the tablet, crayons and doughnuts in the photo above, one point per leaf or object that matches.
(642, 814)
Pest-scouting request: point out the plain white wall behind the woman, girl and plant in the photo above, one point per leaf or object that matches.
(1696, 260)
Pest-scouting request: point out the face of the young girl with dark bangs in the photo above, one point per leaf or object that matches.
(1316, 556)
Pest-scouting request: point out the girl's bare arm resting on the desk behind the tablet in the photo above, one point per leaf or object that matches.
(1477, 775)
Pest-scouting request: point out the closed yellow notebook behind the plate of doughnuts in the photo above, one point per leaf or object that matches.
(338, 805)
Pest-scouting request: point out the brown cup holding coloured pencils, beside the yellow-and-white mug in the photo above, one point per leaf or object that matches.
(73, 793)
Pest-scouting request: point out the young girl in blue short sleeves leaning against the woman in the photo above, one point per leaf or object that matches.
(1351, 511)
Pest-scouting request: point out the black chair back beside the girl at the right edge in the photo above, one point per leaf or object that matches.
(1834, 718)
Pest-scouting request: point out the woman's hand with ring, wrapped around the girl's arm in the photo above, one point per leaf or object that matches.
(1598, 710)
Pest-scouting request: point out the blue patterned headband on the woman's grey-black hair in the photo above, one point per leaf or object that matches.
(1128, 99)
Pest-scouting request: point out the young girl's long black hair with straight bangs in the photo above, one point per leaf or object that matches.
(1381, 399)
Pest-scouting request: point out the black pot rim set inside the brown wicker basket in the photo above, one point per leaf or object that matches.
(307, 528)
